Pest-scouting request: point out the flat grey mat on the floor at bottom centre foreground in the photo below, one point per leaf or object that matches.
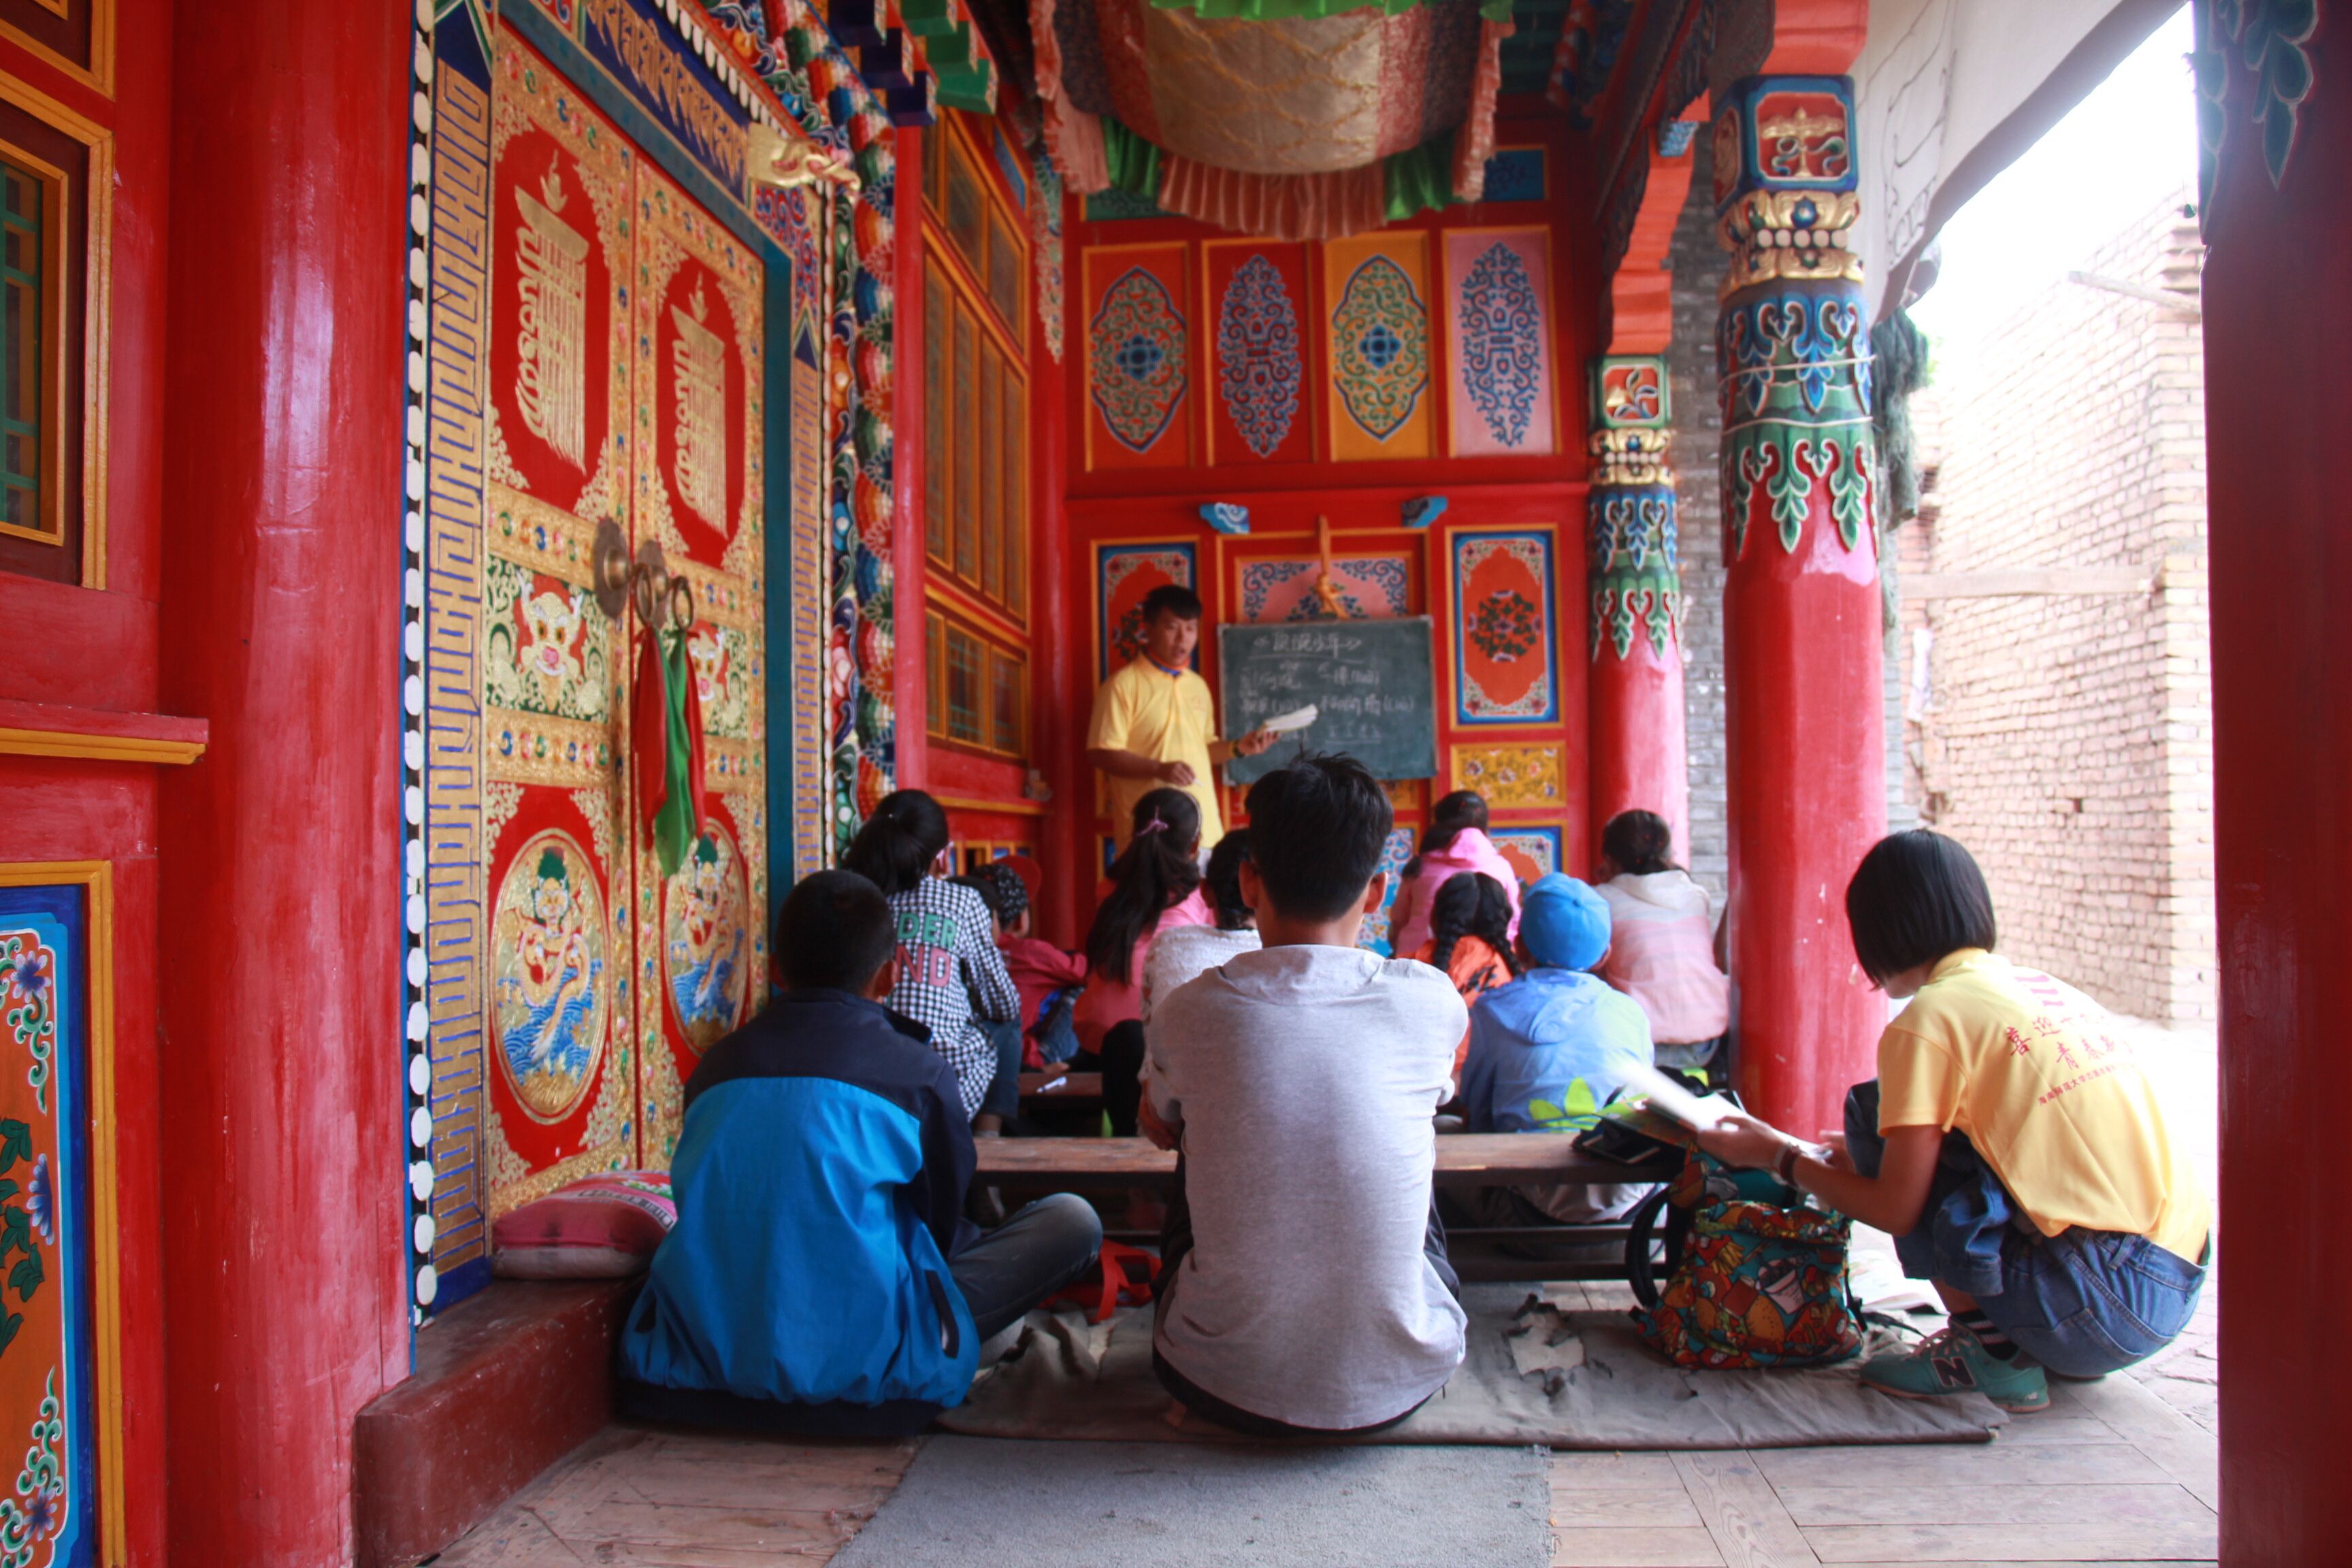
(977, 1503)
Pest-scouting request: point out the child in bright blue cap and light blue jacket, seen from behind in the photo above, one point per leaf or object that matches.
(1551, 1050)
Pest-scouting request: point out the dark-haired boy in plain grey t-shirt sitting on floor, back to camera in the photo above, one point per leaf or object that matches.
(1304, 1275)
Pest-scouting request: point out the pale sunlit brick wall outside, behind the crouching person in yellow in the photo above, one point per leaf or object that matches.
(2066, 737)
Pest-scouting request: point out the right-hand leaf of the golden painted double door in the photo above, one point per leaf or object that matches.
(702, 944)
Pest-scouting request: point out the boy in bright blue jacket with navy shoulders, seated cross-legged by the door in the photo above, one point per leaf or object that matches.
(822, 1278)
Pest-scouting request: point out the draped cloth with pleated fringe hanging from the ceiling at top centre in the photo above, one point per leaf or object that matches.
(1283, 119)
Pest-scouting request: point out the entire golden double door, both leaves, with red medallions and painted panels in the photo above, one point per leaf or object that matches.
(624, 387)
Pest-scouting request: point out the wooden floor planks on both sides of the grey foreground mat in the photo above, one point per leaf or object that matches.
(2111, 1475)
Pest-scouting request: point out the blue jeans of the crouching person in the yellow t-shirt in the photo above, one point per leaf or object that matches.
(2080, 1304)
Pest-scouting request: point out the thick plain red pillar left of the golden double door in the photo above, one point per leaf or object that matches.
(286, 1301)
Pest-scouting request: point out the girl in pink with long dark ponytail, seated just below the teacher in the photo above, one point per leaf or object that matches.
(1154, 887)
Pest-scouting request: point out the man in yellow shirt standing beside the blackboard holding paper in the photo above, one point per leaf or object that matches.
(1156, 723)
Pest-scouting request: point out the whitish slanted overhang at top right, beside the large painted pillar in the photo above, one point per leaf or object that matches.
(1951, 93)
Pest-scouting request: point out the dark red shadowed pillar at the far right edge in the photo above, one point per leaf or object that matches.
(2278, 319)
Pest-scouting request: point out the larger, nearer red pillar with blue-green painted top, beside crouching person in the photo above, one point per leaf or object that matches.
(1808, 756)
